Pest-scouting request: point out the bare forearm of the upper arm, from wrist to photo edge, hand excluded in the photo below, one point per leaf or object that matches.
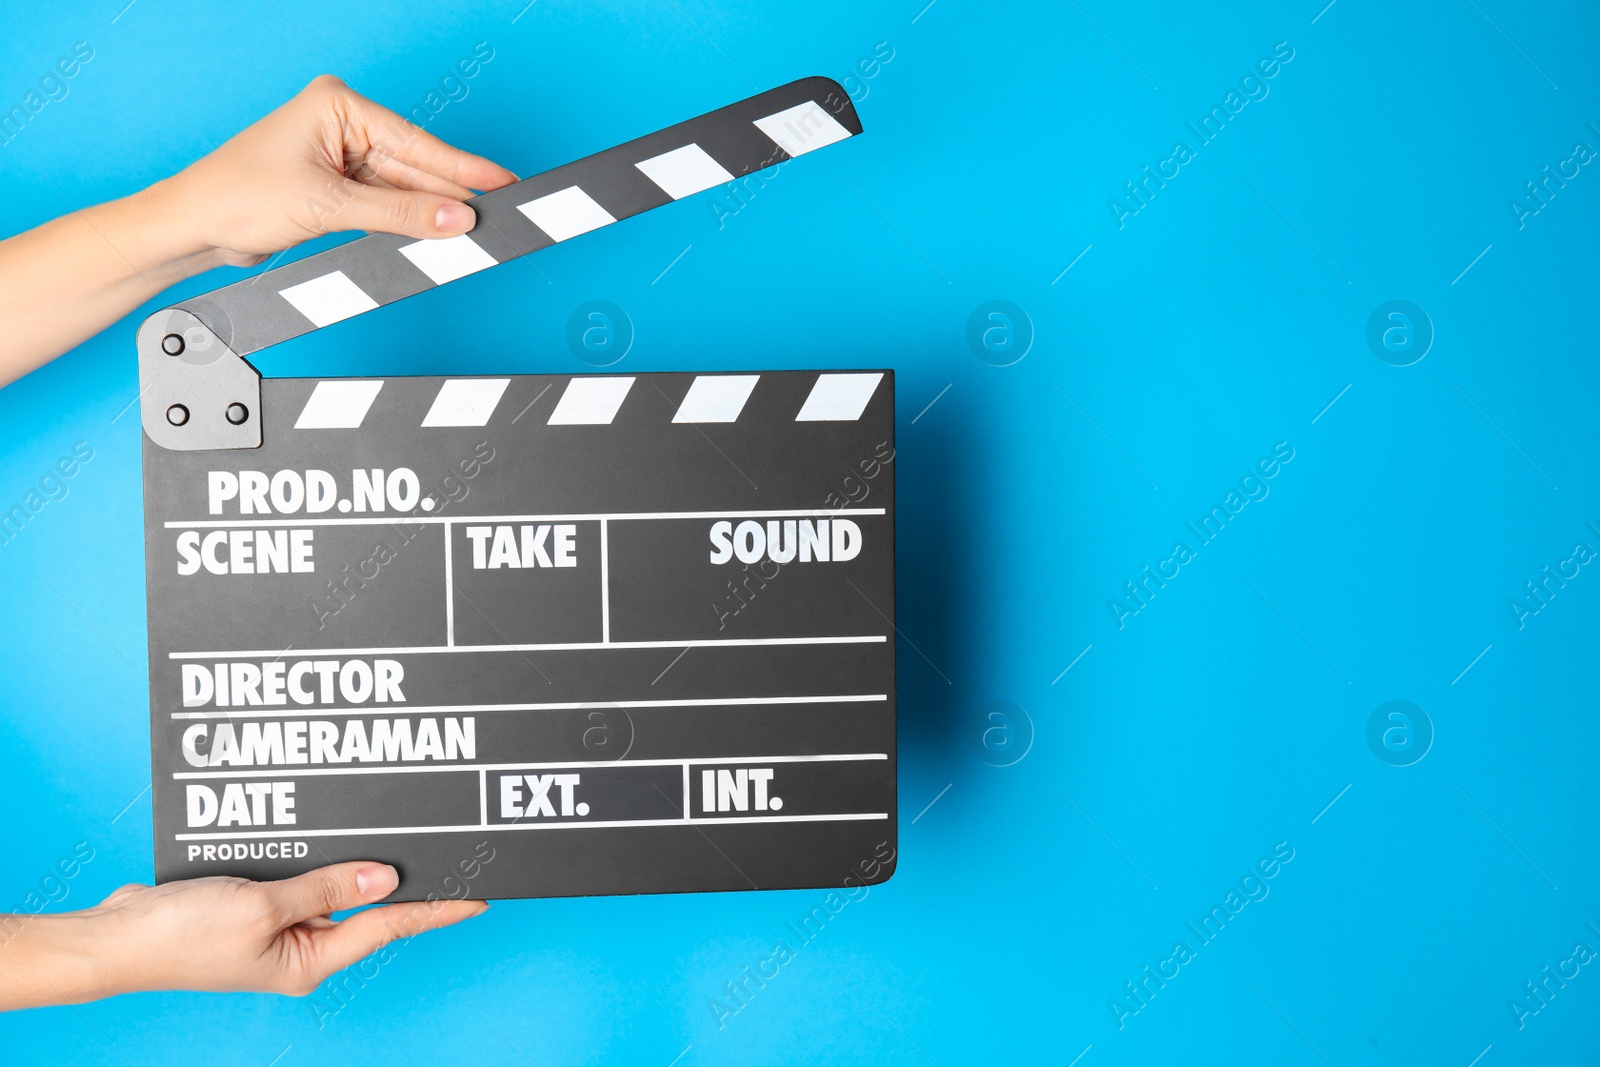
(70, 279)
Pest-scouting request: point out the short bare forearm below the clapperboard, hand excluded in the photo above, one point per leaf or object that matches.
(52, 961)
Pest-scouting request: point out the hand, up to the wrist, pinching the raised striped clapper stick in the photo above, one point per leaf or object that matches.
(324, 162)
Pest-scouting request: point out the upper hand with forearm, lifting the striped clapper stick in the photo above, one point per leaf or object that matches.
(327, 161)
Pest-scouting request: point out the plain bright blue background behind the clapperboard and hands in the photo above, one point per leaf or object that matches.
(1182, 746)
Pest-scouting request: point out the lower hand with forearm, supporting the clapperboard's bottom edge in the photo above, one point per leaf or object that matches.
(214, 935)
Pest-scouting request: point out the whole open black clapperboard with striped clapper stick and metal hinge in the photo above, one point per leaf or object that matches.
(529, 636)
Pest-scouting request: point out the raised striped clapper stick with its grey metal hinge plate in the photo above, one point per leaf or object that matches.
(198, 390)
